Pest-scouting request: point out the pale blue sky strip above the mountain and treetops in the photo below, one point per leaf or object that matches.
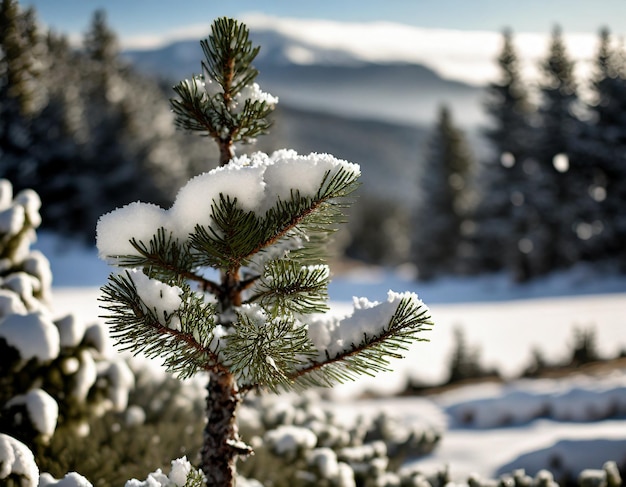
(136, 18)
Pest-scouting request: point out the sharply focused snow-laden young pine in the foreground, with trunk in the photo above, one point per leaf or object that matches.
(232, 280)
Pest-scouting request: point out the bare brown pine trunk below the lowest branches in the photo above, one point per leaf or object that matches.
(220, 450)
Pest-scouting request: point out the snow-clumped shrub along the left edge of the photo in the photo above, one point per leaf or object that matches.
(54, 372)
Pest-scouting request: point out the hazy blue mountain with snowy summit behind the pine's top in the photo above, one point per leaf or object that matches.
(338, 81)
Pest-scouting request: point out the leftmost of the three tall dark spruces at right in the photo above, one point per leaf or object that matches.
(503, 213)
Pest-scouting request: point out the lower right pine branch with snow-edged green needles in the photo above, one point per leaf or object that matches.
(371, 355)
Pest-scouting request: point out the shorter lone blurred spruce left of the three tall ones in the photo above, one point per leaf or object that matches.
(445, 200)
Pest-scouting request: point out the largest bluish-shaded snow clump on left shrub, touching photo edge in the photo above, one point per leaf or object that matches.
(33, 335)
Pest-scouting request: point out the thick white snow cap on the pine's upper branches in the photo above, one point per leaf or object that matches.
(256, 181)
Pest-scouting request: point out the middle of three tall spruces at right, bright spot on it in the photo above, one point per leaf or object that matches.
(558, 176)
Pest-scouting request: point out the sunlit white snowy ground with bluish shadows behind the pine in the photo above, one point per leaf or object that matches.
(531, 425)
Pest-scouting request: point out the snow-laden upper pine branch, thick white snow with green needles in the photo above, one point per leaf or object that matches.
(250, 189)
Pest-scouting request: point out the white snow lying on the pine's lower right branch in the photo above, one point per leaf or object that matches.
(368, 319)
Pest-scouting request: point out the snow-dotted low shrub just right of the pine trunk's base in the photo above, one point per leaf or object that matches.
(299, 441)
